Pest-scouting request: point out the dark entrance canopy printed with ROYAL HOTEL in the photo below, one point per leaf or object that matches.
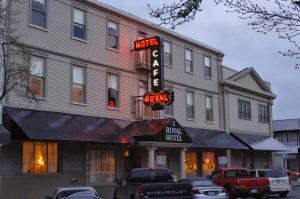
(155, 130)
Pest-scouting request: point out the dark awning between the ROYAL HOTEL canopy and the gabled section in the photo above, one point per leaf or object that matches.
(213, 139)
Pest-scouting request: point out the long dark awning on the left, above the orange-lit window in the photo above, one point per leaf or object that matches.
(46, 125)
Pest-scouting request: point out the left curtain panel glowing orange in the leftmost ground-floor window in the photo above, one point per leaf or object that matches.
(28, 151)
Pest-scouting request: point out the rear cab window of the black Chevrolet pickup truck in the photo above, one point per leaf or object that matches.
(149, 175)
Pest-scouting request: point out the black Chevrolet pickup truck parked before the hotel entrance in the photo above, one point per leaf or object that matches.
(149, 183)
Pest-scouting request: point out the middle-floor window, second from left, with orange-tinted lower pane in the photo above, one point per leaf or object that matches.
(78, 85)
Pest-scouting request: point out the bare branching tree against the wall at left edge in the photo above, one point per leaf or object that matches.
(15, 59)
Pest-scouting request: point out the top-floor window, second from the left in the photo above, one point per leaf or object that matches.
(79, 24)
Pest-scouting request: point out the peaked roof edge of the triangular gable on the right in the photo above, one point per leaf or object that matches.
(250, 70)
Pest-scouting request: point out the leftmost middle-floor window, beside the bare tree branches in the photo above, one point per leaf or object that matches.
(37, 77)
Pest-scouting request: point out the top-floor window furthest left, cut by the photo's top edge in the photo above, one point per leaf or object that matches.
(38, 13)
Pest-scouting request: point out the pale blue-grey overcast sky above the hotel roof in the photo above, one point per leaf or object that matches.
(242, 47)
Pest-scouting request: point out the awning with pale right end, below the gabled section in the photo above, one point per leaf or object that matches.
(259, 142)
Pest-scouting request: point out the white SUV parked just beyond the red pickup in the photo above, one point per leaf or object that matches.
(279, 180)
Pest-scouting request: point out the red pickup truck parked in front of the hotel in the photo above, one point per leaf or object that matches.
(238, 183)
